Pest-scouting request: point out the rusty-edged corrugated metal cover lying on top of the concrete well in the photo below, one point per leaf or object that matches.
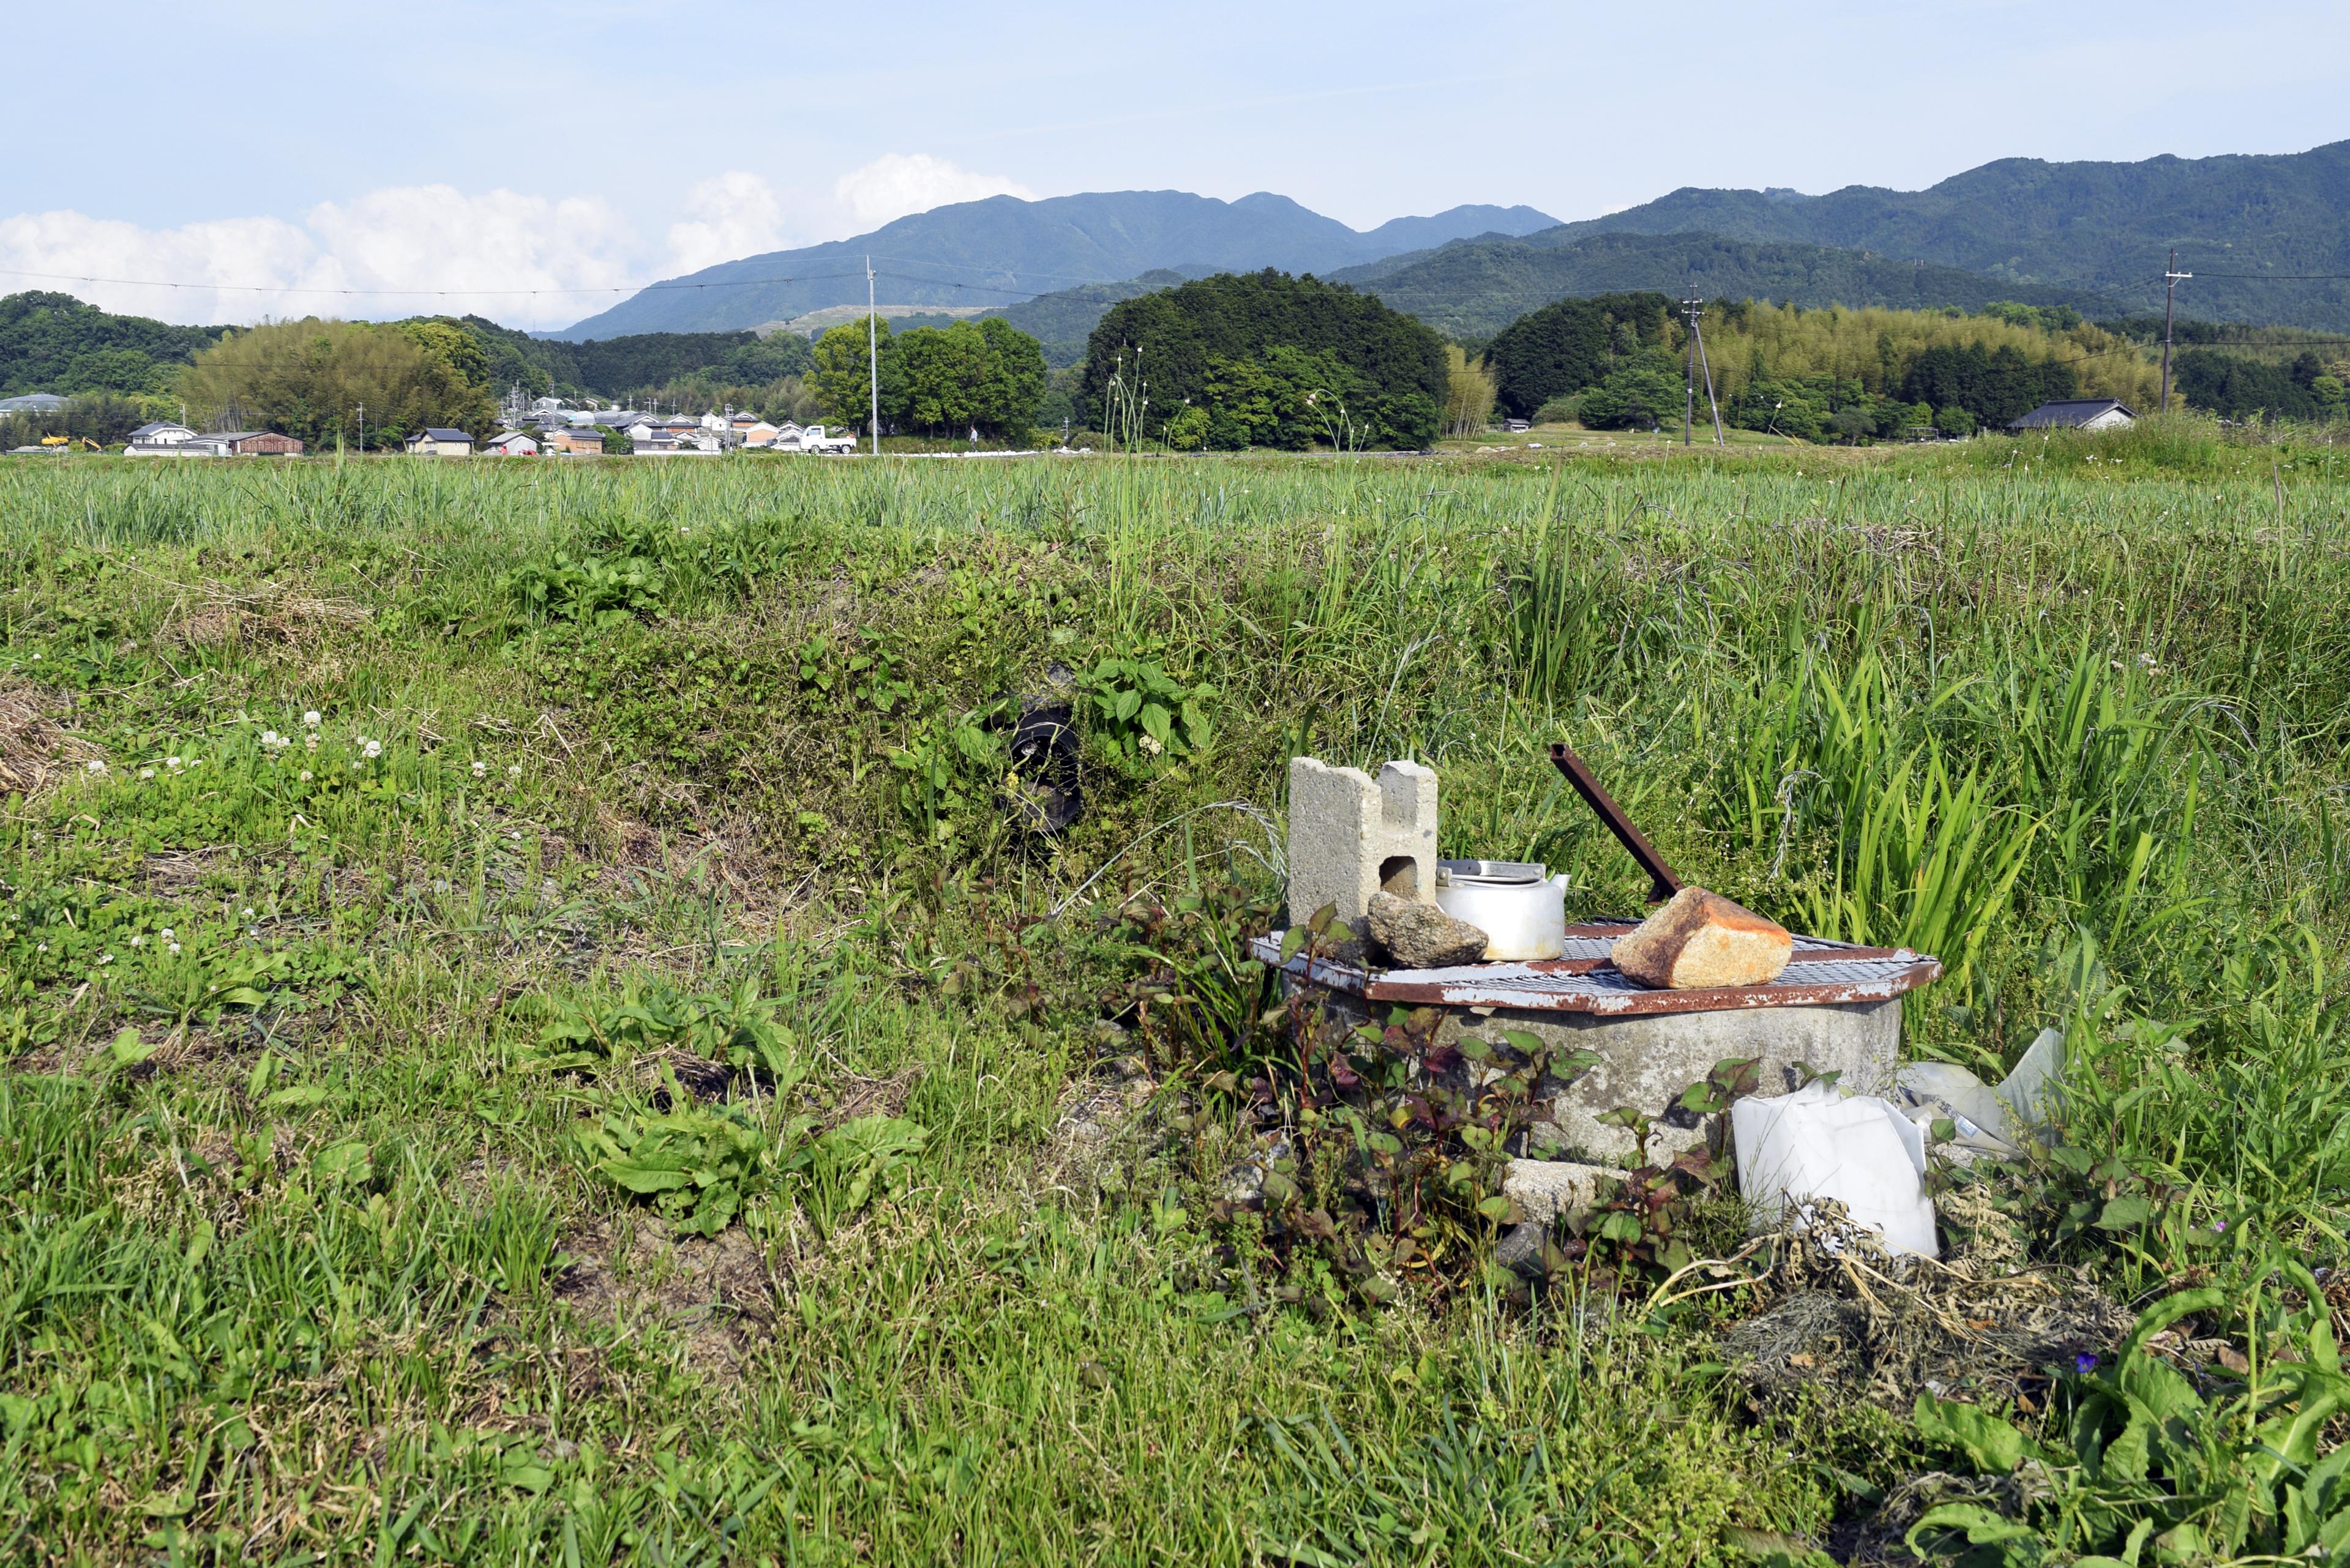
(1822, 974)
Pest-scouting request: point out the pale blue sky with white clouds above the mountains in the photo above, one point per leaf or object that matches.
(539, 163)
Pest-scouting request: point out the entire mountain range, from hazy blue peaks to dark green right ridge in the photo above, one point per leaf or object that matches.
(2267, 236)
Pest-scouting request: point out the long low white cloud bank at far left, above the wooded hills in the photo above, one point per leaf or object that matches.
(405, 250)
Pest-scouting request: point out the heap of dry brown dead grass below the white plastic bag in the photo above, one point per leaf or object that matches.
(1853, 1325)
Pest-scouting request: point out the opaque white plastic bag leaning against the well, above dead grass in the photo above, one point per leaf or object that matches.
(1820, 1144)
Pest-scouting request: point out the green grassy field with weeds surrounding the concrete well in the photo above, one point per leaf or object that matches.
(530, 1028)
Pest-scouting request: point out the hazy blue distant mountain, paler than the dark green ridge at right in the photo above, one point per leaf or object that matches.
(983, 253)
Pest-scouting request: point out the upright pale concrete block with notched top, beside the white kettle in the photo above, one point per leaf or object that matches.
(1355, 836)
